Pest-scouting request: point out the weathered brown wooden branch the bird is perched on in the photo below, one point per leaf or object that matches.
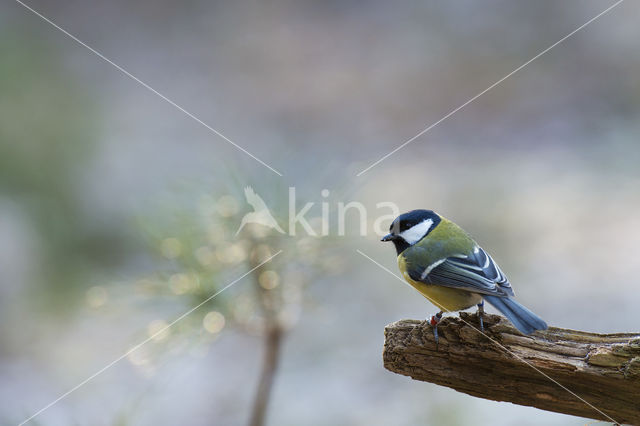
(603, 369)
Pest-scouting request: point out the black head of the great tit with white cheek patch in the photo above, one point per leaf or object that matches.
(409, 228)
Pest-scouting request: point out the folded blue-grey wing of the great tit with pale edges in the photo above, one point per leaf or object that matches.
(476, 272)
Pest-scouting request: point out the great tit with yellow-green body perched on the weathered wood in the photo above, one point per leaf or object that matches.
(442, 262)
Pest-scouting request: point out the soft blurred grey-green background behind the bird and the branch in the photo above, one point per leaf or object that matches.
(118, 212)
